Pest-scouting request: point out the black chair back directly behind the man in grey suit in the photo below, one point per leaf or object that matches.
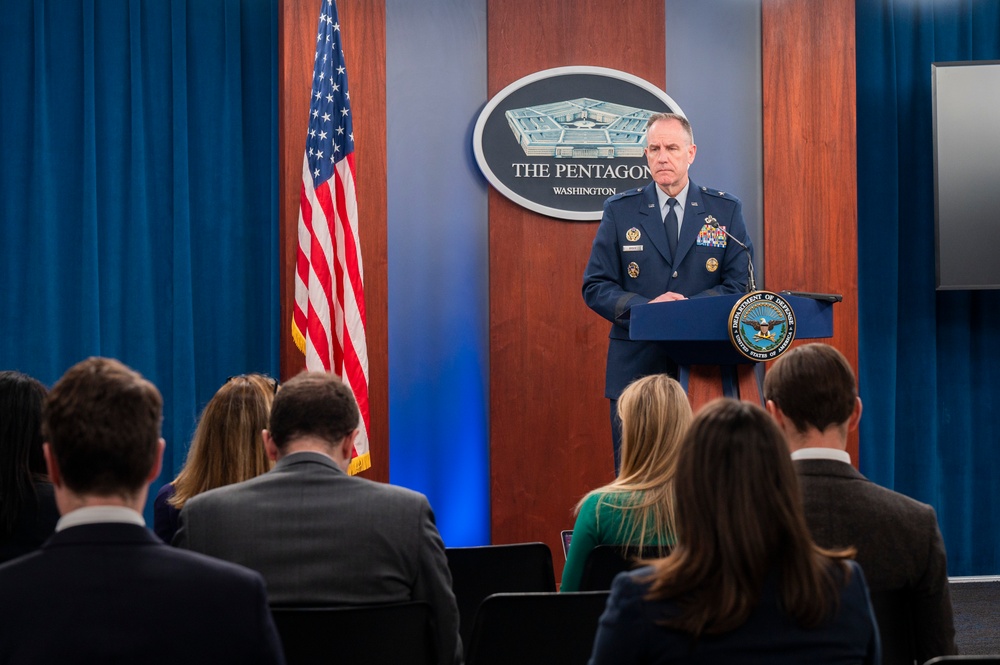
(372, 634)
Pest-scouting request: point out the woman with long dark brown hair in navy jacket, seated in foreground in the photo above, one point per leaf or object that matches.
(745, 583)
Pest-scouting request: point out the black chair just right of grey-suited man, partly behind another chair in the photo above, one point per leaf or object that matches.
(477, 572)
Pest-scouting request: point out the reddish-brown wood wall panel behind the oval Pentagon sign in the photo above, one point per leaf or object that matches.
(549, 430)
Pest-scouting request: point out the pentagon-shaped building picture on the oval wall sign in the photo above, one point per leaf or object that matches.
(581, 128)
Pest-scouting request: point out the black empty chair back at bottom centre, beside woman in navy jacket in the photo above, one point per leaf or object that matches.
(536, 628)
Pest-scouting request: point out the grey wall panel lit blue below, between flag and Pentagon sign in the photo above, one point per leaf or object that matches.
(437, 261)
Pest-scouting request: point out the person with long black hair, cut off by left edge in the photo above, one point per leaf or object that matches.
(28, 512)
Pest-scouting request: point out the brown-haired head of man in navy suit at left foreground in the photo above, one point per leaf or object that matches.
(102, 423)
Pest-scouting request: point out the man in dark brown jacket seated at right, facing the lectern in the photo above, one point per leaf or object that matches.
(812, 393)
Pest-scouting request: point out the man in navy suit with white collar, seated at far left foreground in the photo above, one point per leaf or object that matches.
(103, 588)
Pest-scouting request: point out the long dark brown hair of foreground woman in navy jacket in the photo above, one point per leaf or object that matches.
(740, 518)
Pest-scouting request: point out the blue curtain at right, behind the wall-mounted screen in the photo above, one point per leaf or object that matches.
(929, 361)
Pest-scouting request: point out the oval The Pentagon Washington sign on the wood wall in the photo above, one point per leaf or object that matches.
(579, 135)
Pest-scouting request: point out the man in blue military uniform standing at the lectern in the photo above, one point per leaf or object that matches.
(657, 244)
